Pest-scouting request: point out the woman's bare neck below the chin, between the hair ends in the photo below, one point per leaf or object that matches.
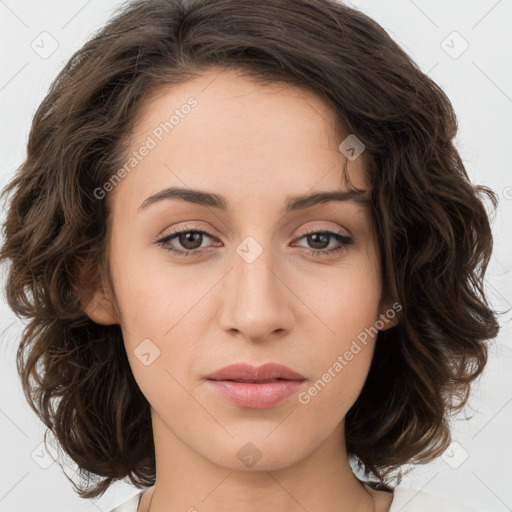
(323, 480)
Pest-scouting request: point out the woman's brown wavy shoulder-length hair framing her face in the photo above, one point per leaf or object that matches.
(432, 226)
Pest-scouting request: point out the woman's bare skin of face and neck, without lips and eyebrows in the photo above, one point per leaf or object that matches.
(255, 145)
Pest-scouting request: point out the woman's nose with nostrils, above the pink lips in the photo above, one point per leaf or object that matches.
(256, 299)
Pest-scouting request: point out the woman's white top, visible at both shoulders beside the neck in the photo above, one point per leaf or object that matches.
(405, 499)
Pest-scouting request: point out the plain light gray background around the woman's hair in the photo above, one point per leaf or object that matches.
(479, 83)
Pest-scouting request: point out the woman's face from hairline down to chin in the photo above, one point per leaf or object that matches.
(257, 285)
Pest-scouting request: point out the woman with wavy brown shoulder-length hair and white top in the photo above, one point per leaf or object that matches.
(249, 252)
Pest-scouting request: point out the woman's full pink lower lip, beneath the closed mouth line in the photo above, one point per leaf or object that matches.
(256, 395)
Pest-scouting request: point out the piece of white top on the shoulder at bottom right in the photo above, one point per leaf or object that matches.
(406, 499)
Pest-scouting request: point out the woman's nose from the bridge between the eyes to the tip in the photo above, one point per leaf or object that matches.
(254, 296)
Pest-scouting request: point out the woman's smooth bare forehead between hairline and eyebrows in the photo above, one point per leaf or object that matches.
(224, 131)
